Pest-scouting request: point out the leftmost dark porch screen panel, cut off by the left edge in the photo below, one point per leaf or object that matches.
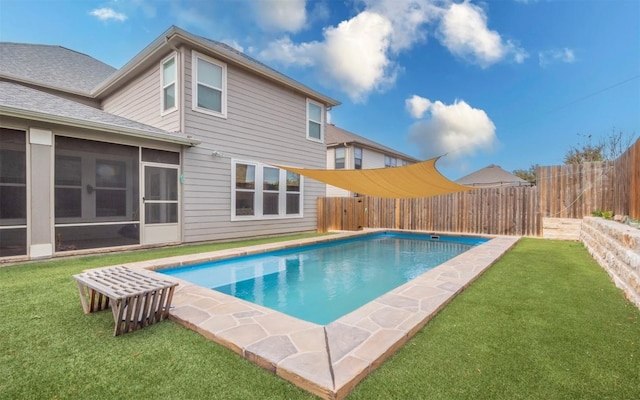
(13, 192)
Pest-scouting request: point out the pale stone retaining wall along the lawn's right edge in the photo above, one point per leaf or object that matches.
(616, 247)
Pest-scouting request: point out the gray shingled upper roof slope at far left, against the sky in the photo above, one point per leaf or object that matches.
(53, 67)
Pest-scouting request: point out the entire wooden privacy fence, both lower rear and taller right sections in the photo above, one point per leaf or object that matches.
(567, 191)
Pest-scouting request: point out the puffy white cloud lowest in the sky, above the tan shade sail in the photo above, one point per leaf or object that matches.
(457, 129)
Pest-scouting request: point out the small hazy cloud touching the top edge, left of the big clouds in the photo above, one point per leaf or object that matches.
(281, 15)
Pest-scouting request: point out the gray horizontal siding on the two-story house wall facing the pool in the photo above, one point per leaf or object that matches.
(265, 123)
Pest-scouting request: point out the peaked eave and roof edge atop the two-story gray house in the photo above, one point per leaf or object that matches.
(174, 37)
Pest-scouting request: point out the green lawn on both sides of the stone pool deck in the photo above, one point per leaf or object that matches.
(545, 322)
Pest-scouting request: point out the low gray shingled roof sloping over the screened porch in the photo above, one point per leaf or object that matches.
(20, 101)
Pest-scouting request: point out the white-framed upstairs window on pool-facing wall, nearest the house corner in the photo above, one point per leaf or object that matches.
(209, 85)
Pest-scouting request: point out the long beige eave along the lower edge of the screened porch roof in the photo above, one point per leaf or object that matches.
(80, 123)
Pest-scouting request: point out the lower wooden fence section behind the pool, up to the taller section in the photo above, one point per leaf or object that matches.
(503, 211)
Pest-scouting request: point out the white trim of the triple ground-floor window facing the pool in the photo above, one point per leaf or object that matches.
(258, 210)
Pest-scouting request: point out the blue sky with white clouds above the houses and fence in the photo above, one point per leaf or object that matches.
(509, 82)
